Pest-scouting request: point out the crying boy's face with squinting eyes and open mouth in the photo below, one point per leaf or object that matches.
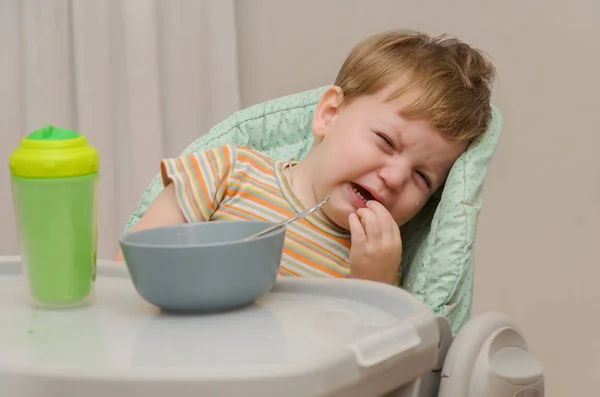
(365, 150)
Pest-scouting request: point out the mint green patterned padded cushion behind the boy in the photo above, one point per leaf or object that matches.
(438, 243)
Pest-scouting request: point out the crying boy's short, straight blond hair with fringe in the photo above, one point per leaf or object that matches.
(452, 80)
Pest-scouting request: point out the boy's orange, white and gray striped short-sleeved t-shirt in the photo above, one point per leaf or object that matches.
(229, 183)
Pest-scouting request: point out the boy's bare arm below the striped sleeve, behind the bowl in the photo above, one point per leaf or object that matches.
(164, 211)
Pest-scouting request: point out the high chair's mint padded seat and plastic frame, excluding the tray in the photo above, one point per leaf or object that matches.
(484, 356)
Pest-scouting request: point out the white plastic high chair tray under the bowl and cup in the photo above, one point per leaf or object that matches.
(306, 337)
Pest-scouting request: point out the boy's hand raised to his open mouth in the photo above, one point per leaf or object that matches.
(376, 244)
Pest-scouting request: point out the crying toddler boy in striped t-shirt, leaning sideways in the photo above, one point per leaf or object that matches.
(403, 107)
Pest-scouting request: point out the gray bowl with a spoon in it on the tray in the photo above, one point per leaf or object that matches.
(198, 267)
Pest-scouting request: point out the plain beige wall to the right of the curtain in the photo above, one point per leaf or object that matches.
(537, 257)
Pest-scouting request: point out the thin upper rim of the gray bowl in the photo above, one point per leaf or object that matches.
(125, 239)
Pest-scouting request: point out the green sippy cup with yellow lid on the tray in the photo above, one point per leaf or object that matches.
(54, 180)
